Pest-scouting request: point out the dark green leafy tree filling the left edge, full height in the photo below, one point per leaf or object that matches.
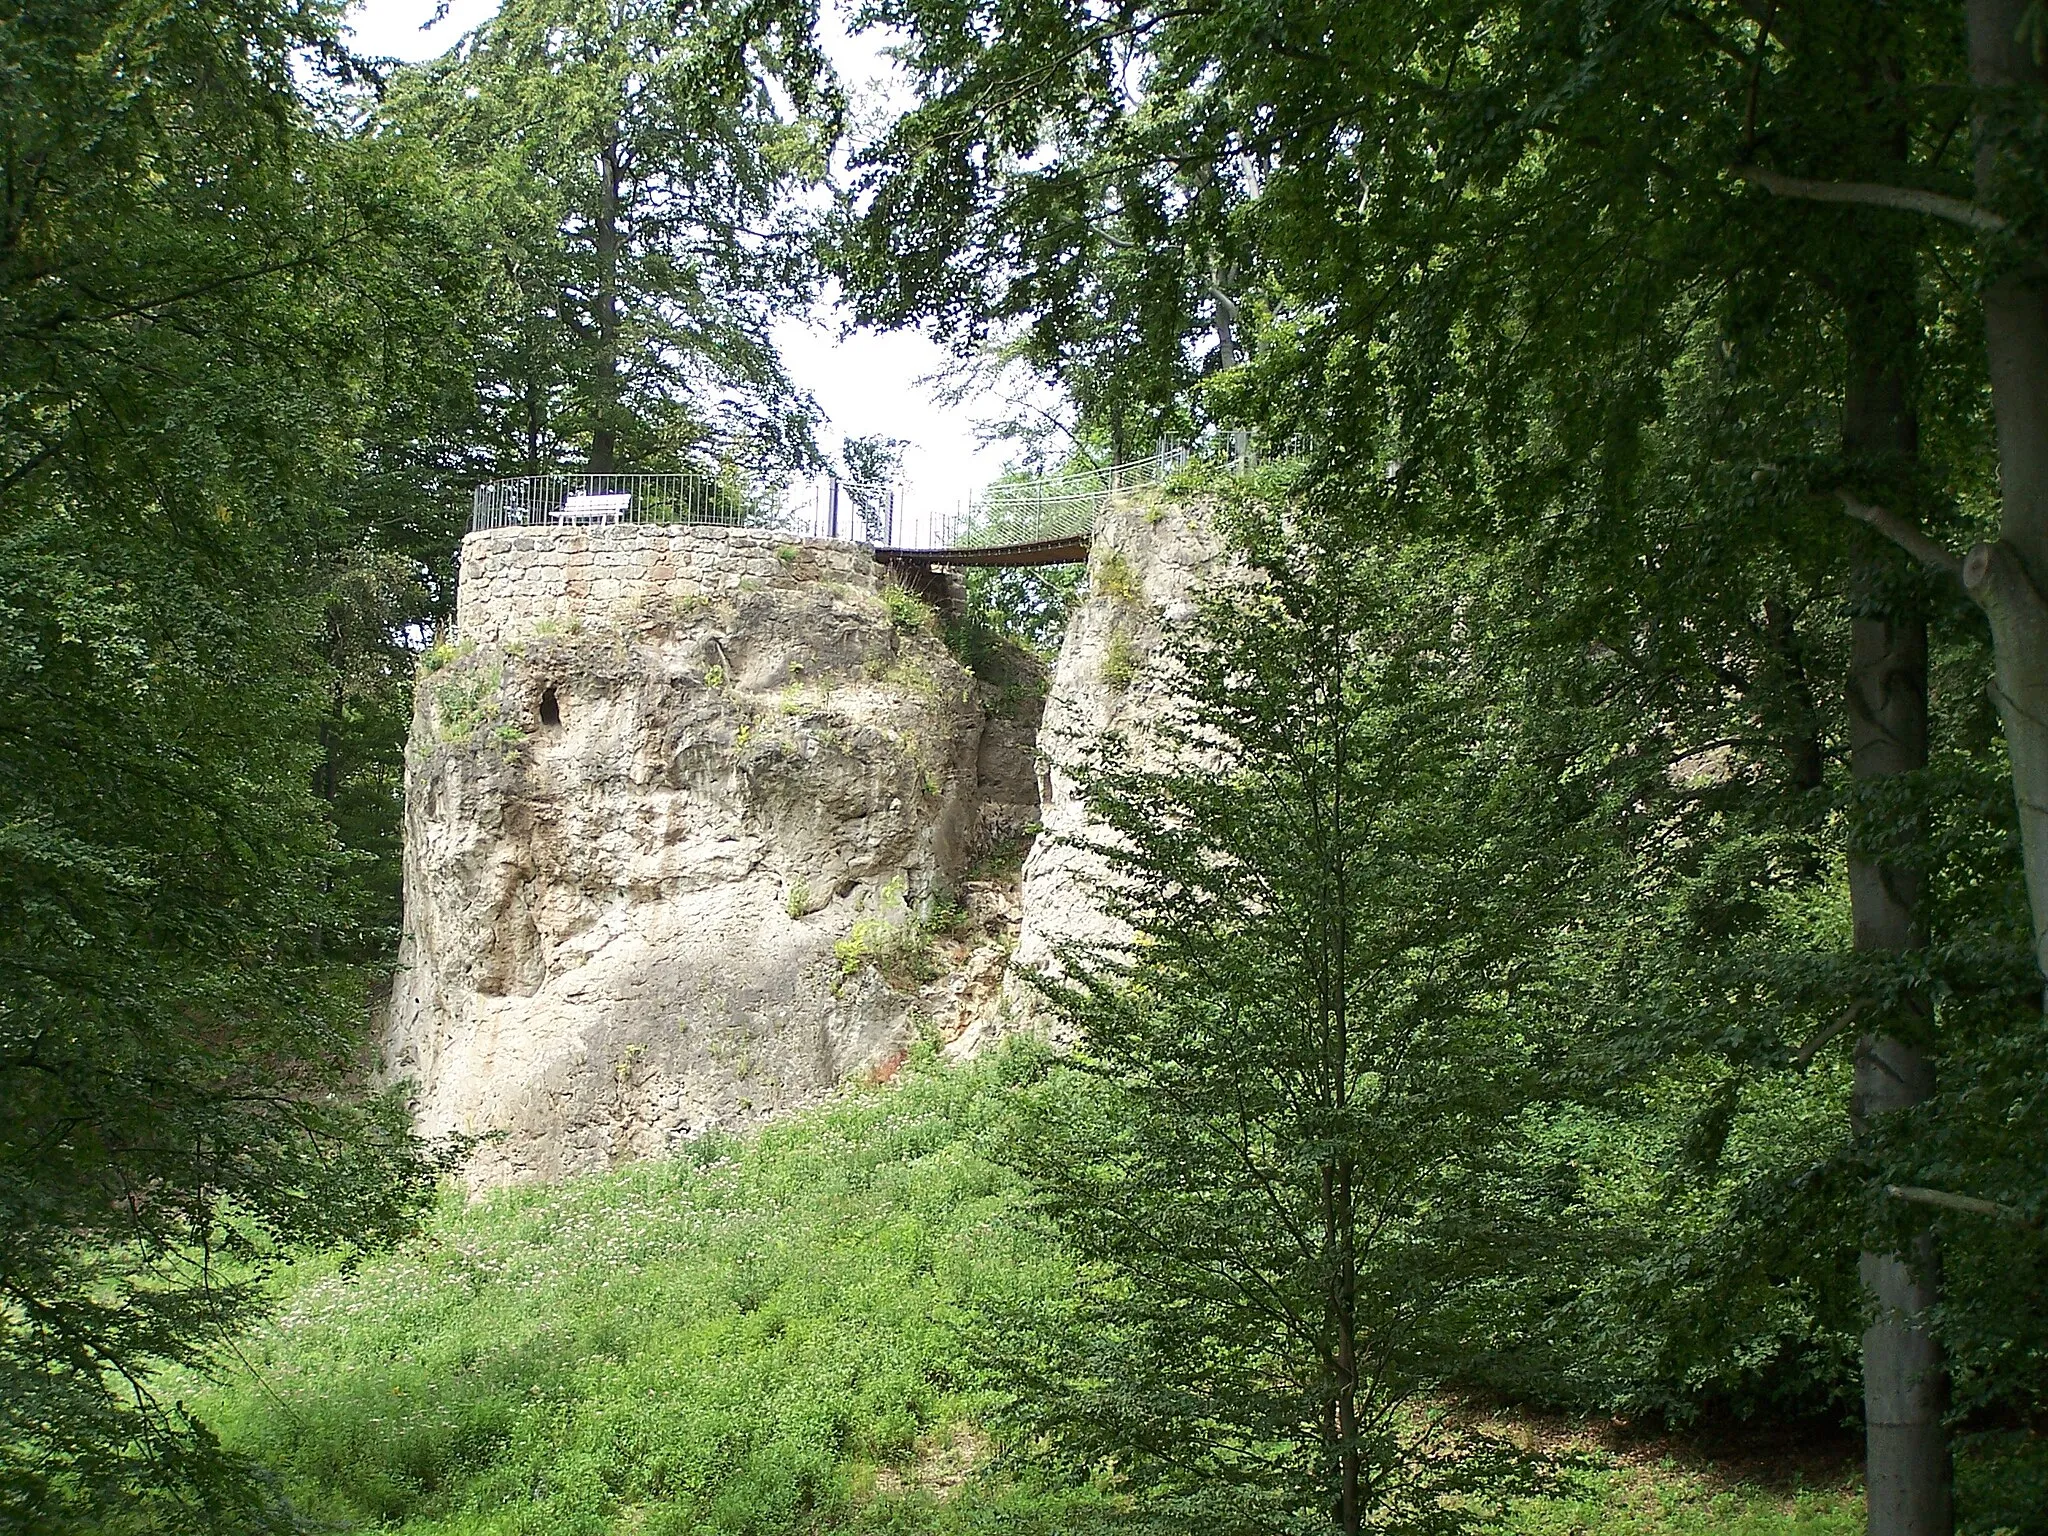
(183, 265)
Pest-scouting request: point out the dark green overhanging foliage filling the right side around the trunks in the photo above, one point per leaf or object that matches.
(1494, 263)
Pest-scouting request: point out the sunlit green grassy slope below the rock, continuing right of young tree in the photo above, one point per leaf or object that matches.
(767, 1338)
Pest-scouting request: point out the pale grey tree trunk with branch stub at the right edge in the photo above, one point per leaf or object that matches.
(2010, 577)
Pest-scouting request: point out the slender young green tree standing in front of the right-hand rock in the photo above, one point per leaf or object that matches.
(1299, 1056)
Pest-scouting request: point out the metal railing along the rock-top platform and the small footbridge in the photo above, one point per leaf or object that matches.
(1029, 511)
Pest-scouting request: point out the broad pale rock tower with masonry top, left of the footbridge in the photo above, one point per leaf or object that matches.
(675, 806)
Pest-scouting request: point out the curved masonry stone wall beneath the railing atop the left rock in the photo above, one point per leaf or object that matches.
(517, 581)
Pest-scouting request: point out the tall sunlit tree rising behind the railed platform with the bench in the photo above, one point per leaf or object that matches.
(638, 208)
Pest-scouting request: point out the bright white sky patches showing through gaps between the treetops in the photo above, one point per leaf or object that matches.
(867, 384)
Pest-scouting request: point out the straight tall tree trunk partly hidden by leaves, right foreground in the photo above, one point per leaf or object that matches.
(1906, 1377)
